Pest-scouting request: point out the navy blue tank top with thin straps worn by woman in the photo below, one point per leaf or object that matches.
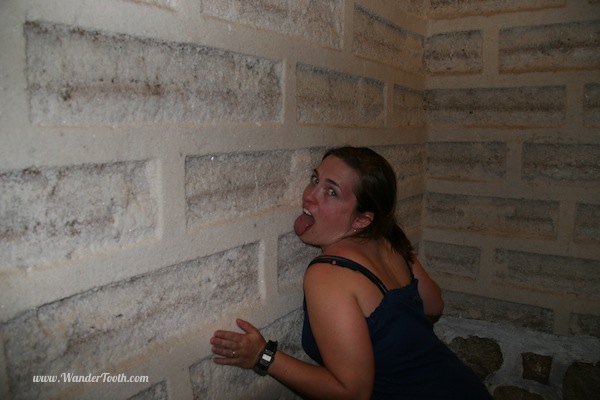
(410, 361)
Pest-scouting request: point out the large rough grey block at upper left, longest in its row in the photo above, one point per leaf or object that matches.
(83, 77)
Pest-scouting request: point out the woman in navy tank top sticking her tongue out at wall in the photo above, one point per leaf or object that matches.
(368, 301)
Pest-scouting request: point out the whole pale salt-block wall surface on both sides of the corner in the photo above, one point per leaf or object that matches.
(154, 153)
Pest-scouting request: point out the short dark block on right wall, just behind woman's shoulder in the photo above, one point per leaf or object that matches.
(450, 259)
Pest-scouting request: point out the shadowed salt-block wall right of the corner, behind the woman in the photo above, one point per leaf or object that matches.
(511, 217)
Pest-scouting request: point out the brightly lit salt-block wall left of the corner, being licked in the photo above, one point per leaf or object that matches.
(153, 157)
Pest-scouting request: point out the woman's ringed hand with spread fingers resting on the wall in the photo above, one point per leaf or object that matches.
(239, 349)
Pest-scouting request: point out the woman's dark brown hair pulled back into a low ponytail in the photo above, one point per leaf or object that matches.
(376, 193)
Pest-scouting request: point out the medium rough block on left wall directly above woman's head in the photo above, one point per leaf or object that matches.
(329, 97)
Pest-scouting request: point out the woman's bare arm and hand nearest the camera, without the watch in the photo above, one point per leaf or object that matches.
(341, 334)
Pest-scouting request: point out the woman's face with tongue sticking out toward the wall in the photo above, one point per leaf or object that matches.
(328, 203)
